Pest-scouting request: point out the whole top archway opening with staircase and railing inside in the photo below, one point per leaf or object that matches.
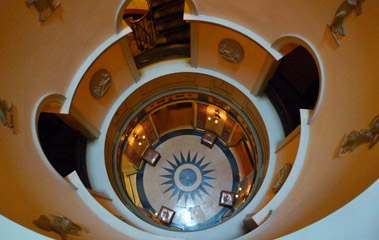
(159, 31)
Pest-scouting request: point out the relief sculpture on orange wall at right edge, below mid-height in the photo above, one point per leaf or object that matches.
(354, 139)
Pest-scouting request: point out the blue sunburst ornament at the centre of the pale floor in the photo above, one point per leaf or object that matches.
(187, 177)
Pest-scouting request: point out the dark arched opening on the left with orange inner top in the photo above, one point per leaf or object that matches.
(62, 139)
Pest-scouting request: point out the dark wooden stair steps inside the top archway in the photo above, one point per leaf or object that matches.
(172, 34)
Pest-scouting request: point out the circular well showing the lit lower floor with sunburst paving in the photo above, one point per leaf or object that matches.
(180, 150)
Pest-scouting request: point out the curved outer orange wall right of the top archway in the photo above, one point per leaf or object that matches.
(350, 101)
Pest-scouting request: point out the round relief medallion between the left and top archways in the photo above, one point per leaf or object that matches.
(100, 83)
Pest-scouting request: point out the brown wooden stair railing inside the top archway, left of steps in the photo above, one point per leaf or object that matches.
(145, 36)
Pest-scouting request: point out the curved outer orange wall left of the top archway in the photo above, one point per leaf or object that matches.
(37, 60)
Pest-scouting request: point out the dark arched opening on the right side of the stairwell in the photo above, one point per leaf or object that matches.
(294, 86)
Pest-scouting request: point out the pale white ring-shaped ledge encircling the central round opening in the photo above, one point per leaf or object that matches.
(228, 230)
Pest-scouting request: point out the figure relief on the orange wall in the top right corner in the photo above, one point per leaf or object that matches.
(343, 10)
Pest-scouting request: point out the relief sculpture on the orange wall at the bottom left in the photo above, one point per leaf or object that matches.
(60, 225)
